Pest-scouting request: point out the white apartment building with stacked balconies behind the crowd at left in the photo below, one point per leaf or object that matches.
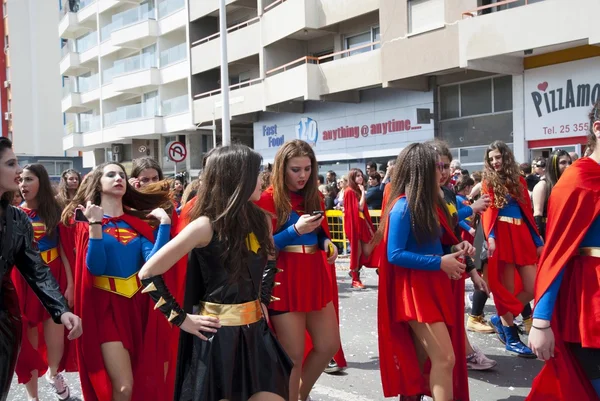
(125, 72)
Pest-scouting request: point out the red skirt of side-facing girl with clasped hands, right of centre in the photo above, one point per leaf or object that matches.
(424, 296)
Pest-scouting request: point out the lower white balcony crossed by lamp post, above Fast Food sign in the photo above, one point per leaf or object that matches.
(246, 97)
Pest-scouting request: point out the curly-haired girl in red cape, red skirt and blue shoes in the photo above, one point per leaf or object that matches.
(512, 241)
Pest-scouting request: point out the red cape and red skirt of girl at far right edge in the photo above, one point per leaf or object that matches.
(573, 206)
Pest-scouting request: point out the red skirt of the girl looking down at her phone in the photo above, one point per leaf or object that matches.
(305, 284)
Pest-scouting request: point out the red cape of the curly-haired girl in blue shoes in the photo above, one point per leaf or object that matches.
(503, 299)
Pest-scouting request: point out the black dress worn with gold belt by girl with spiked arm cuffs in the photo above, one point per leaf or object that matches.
(237, 361)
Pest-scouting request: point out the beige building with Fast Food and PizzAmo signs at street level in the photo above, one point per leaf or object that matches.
(361, 79)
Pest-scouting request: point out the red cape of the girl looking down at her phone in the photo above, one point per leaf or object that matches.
(267, 203)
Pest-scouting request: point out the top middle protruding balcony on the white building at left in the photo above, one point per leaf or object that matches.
(135, 28)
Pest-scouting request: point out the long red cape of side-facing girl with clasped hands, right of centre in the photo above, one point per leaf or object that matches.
(399, 366)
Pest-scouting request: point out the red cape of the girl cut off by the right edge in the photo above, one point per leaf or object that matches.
(573, 206)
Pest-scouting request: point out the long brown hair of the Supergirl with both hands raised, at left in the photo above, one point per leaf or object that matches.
(135, 203)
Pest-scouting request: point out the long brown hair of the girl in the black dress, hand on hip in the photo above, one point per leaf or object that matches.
(228, 181)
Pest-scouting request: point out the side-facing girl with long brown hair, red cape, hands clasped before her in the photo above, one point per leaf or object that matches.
(416, 310)
